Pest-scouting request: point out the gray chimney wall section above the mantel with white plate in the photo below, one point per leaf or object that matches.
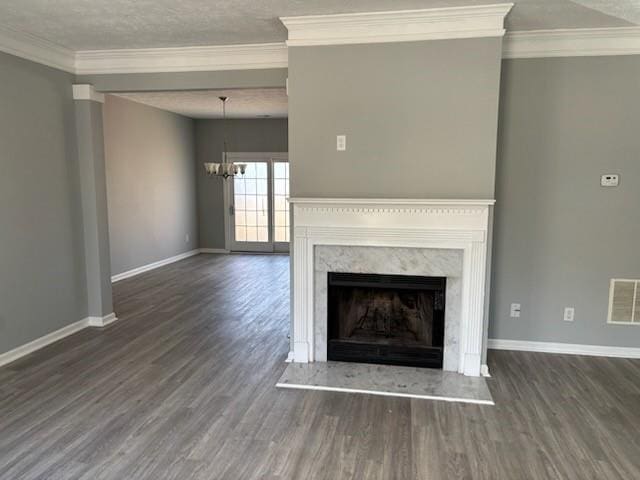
(420, 119)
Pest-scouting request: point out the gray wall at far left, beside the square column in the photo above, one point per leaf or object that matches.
(42, 271)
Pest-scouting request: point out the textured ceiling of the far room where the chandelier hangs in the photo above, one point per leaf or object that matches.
(242, 103)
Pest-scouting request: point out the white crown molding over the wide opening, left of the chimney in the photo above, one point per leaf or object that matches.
(182, 59)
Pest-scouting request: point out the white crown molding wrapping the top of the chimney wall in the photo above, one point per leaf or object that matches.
(397, 26)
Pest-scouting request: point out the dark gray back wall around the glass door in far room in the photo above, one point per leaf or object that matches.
(259, 135)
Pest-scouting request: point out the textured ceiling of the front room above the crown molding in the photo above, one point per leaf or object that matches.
(107, 24)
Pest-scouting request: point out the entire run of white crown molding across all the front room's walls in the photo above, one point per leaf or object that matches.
(576, 42)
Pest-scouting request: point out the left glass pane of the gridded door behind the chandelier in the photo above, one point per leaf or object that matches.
(251, 208)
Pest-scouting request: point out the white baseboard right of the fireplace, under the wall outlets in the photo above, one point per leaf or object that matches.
(565, 348)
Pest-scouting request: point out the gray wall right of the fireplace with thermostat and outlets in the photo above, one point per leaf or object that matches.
(559, 237)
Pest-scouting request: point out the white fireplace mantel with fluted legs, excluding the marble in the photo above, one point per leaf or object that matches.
(418, 223)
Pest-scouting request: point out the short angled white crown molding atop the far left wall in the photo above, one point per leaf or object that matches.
(36, 49)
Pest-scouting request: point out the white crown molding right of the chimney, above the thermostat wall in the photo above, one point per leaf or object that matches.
(577, 42)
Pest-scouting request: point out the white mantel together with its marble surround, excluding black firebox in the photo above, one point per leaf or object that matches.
(419, 230)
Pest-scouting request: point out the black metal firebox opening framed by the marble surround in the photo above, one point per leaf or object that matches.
(388, 319)
